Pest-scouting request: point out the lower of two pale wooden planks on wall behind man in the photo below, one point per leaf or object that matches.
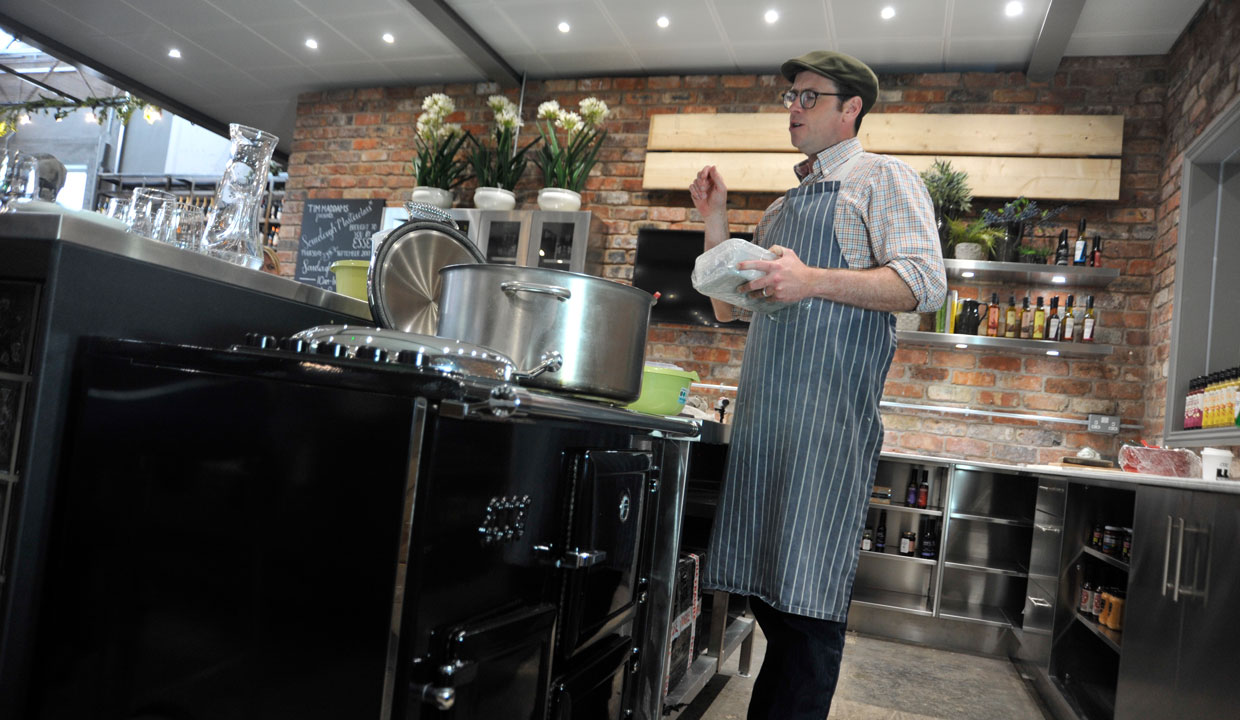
(1001, 178)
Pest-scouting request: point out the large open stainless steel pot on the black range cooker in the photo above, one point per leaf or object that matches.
(597, 327)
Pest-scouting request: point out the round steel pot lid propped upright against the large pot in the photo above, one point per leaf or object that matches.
(404, 283)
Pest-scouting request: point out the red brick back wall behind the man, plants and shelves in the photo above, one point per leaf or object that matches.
(359, 144)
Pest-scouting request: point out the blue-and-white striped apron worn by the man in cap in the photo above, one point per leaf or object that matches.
(807, 436)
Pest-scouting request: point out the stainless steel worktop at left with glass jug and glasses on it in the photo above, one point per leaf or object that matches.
(107, 239)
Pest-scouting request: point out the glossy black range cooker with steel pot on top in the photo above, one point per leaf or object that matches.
(316, 530)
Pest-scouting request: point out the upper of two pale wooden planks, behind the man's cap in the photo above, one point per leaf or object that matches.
(900, 133)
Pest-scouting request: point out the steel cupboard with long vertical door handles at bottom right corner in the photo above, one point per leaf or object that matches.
(1181, 633)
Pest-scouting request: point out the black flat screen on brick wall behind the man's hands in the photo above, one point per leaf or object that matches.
(664, 265)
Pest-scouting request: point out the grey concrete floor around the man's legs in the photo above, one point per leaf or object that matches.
(891, 681)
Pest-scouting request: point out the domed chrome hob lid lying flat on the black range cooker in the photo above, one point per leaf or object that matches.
(412, 350)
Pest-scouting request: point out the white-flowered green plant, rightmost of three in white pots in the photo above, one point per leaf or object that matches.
(566, 164)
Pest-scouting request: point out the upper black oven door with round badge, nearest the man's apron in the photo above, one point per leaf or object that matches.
(606, 510)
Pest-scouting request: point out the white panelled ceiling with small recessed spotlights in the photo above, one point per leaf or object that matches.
(246, 60)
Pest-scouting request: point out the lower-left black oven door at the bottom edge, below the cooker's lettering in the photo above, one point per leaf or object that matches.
(497, 667)
